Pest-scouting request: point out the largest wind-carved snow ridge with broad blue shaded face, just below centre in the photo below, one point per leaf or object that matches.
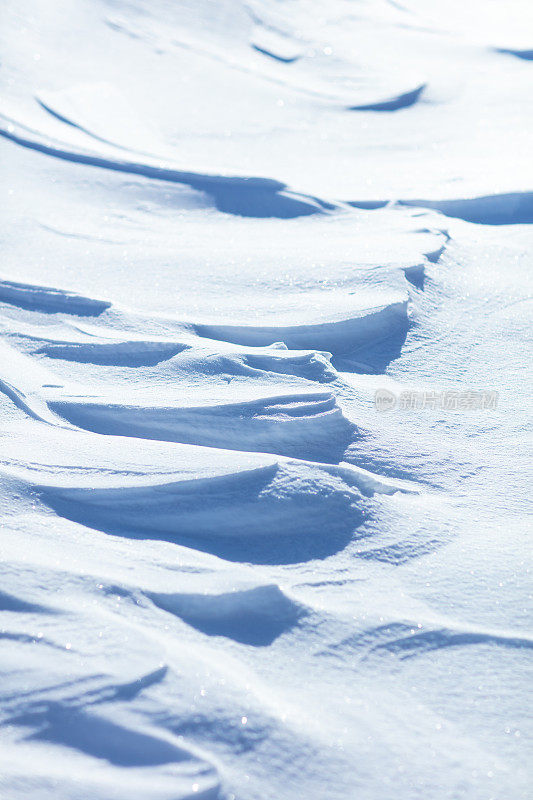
(251, 506)
